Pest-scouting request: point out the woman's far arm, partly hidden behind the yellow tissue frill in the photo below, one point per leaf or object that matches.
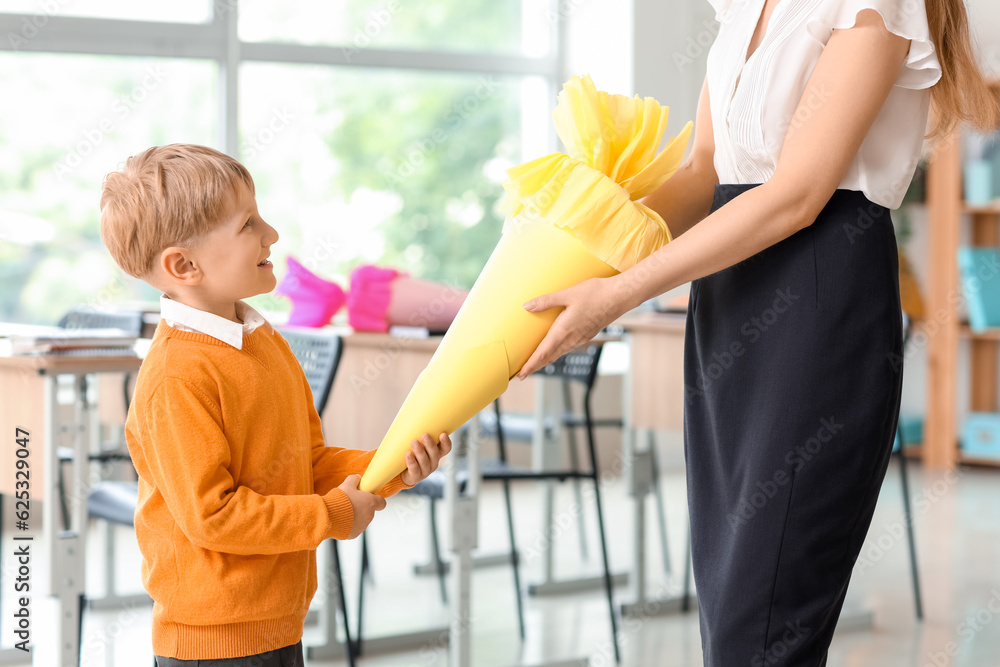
(686, 198)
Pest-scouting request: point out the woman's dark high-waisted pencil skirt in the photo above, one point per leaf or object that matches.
(793, 377)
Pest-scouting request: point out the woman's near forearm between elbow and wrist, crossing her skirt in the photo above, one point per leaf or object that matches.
(753, 221)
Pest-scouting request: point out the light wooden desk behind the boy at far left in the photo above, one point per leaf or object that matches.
(29, 389)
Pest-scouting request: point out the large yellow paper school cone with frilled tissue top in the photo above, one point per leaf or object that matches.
(570, 218)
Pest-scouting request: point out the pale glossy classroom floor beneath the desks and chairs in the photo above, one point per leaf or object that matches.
(957, 518)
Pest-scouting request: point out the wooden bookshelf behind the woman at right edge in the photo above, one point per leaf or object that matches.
(947, 212)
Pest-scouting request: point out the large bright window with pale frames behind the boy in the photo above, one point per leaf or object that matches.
(375, 131)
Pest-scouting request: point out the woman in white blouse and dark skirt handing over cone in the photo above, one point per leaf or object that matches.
(808, 132)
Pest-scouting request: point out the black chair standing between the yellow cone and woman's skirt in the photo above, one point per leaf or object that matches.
(579, 366)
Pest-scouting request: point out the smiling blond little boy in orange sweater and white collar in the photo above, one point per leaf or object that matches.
(236, 486)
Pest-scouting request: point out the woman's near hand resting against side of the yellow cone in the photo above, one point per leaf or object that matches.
(589, 307)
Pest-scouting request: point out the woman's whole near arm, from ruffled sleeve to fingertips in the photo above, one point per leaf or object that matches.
(844, 95)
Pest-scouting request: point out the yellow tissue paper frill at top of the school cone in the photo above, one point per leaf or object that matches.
(612, 162)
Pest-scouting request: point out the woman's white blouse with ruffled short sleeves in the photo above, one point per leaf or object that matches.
(753, 103)
